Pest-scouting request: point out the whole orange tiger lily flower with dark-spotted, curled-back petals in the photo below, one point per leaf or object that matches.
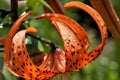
(72, 58)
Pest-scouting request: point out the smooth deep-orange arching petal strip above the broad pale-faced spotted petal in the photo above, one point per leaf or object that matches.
(77, 28)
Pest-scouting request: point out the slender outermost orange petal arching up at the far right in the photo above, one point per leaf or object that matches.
(101, 25)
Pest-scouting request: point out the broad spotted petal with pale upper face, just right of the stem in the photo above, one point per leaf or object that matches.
(74, 47)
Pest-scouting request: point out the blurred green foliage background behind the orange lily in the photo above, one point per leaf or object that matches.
(105, 67)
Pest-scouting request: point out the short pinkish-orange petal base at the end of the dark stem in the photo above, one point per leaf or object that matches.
(55, 61)
